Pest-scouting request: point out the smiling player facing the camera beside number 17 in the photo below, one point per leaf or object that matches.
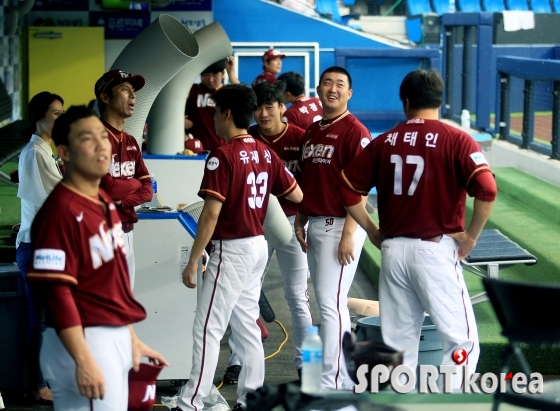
(333, 240)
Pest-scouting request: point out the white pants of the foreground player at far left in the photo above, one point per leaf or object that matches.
(112, 350)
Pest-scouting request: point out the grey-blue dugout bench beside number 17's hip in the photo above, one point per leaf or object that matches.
(492, 252)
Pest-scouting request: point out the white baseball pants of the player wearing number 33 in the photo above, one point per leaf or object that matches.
(230, 294)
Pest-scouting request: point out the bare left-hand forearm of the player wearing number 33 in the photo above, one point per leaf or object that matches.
(206, 225)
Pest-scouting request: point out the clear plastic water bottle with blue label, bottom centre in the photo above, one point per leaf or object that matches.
(312, 350)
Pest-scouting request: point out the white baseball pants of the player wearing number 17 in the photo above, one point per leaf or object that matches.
(423, 276)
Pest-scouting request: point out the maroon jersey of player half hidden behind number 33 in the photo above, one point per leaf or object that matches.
(288, 146)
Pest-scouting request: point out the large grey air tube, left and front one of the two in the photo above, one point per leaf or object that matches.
(159, 52)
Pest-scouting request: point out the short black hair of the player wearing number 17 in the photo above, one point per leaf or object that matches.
(422, 89)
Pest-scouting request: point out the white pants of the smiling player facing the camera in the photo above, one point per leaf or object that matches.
(332, 282)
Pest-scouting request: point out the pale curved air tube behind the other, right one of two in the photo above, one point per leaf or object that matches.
(165, 122)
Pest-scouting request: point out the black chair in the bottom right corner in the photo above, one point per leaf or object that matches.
(525, 312)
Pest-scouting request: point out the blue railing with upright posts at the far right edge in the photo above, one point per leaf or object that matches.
(530, 70)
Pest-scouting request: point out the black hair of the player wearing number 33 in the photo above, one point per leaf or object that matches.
(240, 100)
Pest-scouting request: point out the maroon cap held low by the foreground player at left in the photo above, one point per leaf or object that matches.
(142, 387)
